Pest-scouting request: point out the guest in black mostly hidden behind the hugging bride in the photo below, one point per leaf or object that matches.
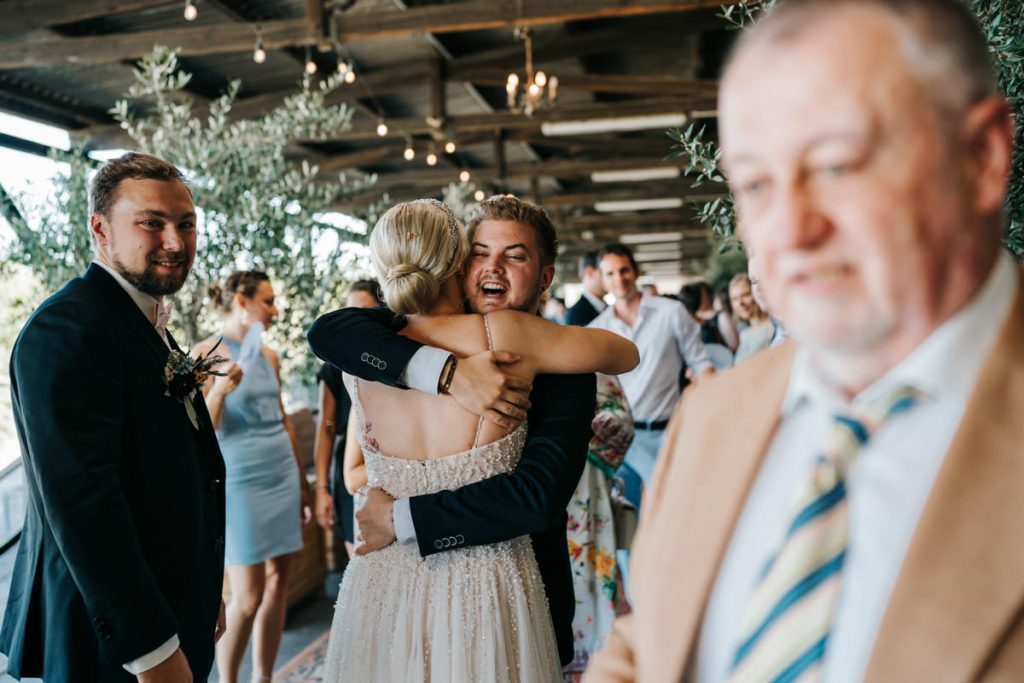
(334, 499)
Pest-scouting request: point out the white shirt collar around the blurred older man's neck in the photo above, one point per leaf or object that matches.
(945, 367)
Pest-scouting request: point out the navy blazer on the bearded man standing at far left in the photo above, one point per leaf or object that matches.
(123, 542)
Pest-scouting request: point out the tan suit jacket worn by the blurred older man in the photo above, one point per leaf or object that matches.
(957, 611)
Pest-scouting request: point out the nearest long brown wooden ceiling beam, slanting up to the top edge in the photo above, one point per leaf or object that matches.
(232, 37)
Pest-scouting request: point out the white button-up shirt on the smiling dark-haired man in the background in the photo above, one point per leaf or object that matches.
(667, 337)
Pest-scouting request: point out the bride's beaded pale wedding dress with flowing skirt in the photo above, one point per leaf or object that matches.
(475, 614)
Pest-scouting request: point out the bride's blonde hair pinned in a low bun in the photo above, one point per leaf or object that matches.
(415, 247)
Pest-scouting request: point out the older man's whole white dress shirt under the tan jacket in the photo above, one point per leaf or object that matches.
(887, 491)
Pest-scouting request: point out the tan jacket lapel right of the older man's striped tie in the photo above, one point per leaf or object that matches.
(963, 579)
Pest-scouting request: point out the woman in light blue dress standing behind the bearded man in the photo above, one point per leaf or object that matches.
(267, 492)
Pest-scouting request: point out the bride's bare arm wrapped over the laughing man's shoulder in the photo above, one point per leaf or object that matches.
(562, 350)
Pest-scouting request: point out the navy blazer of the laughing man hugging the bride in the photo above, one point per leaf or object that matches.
(531, 500)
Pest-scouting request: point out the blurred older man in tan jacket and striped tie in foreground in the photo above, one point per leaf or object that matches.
(846, 507)
